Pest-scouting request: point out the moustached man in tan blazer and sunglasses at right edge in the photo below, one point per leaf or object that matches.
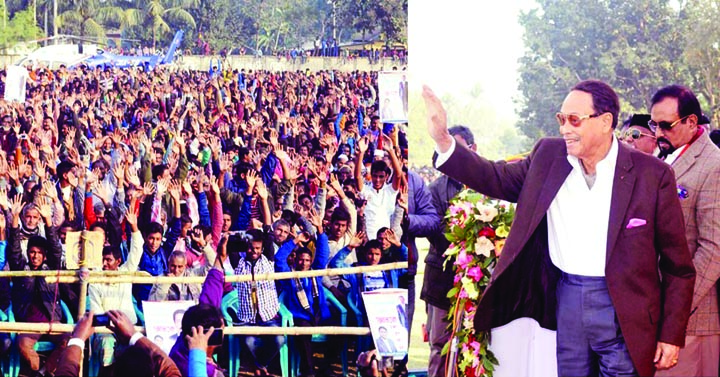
(686, 146)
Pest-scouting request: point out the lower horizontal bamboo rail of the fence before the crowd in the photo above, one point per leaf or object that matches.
(61, 328)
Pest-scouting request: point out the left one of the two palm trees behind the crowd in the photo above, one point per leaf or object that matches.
(89, 18)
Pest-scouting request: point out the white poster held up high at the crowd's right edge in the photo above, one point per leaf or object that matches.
(393, 96)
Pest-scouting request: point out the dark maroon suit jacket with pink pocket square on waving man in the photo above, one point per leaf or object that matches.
(652, 299)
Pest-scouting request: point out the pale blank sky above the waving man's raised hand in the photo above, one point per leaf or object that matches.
(456, 45)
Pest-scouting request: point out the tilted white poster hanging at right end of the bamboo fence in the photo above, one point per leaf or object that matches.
(387, 316)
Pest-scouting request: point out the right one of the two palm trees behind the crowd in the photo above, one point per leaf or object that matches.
(157, 14)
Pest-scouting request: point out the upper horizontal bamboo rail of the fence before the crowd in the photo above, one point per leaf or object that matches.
(97, 279)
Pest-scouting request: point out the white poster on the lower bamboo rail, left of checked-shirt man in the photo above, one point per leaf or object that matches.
(163, 321)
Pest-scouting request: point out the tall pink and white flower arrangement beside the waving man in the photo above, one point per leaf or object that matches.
(477, 226)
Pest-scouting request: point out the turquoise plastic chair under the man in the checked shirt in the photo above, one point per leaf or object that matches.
(230, 301)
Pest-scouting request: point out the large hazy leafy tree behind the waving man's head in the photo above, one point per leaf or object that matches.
(635, 46)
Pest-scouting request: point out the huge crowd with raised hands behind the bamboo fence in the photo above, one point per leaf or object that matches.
(189, 173)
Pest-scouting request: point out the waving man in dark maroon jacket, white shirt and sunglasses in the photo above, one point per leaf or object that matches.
(597, 248)
